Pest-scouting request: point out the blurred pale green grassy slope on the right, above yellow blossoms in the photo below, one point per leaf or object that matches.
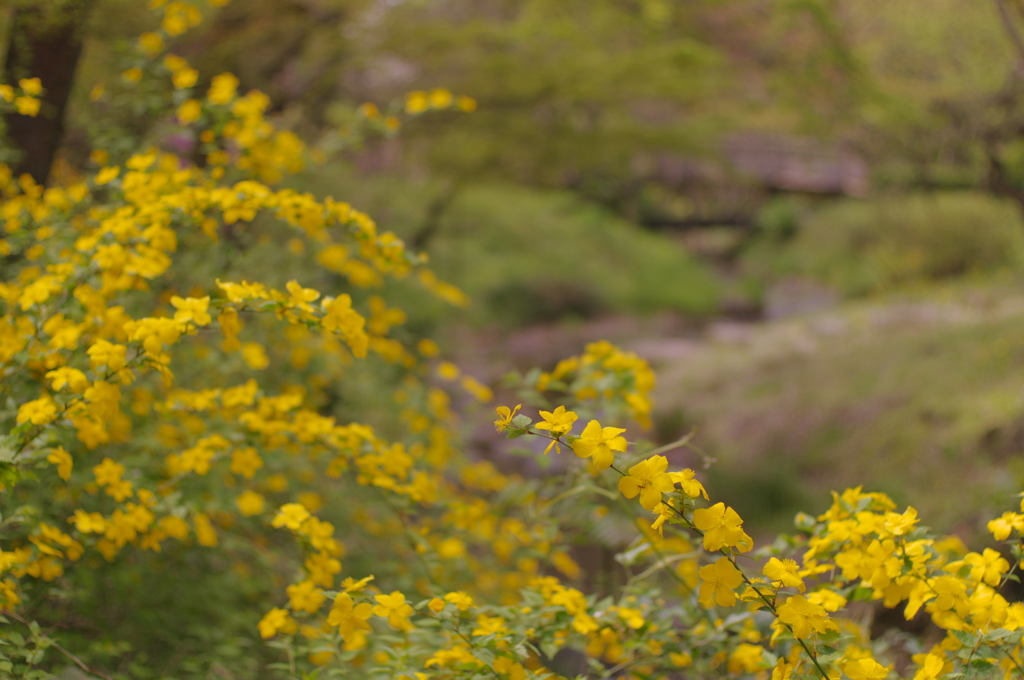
(920, 397)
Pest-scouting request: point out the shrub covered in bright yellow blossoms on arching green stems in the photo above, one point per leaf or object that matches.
(134, 427)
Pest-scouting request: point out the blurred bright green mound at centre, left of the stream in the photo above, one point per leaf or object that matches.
(505, 246)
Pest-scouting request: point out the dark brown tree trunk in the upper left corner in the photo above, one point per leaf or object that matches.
(47, 44)
